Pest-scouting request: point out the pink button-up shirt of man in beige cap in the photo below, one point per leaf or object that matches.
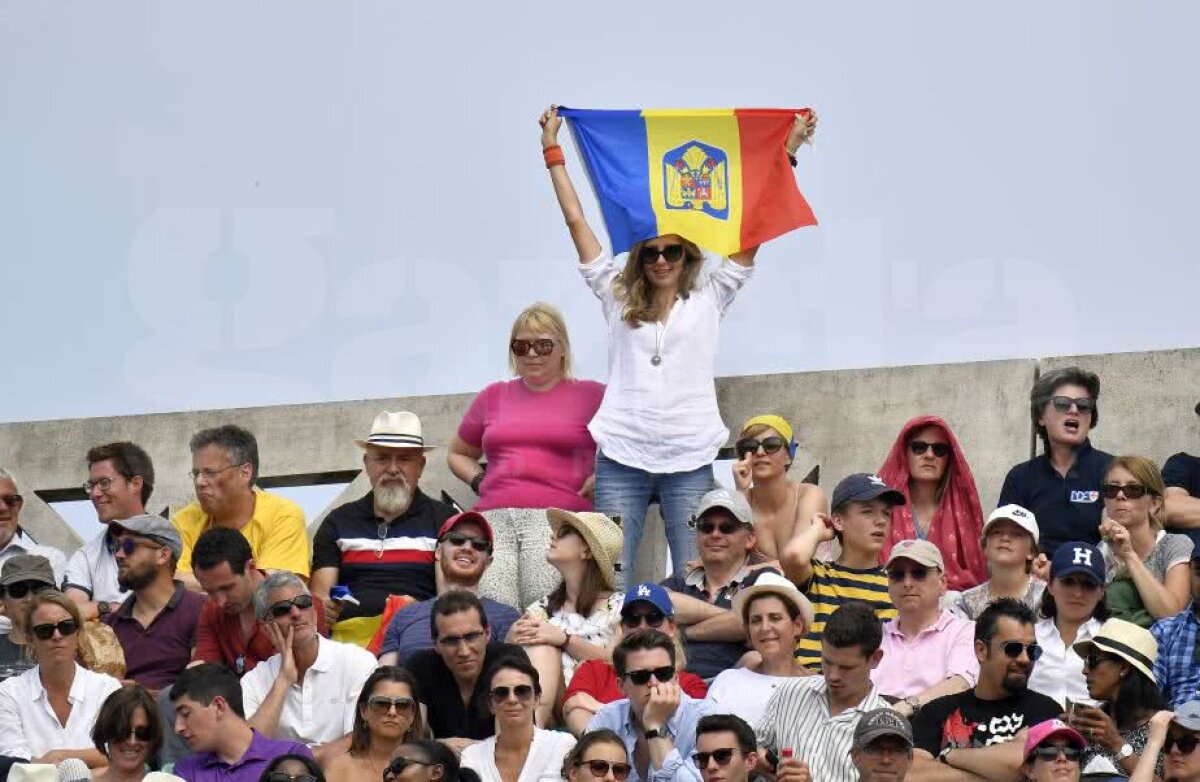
(911, 666)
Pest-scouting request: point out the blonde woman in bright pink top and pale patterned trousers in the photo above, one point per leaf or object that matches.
(533, 431)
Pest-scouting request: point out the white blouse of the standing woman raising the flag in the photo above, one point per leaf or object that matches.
(663, 418)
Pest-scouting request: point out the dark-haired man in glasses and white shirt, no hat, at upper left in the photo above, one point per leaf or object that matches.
(121, 480)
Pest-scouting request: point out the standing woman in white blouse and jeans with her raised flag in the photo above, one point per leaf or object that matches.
(658, 429)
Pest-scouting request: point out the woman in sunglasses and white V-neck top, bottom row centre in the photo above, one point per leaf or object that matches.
(520, 750)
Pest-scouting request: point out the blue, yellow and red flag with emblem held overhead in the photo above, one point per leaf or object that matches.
(719, 178)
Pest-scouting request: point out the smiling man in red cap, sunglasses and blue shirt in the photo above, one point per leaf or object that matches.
(464, 554)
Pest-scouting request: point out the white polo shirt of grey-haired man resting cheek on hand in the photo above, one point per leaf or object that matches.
(321, 707)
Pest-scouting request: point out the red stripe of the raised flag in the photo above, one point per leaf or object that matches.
(772, 203)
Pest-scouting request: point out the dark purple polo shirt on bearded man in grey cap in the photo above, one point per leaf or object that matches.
(157, 655)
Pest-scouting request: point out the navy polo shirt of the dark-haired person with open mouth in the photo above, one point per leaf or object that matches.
(1069, 508)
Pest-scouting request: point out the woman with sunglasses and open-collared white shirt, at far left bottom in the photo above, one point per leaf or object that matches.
(50, 711)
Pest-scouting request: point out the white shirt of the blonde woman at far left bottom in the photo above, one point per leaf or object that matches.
(28, 721)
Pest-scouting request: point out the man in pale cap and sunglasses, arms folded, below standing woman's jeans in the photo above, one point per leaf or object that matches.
(725, 540)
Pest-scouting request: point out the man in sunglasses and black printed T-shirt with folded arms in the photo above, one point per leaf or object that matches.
(973, 732)
